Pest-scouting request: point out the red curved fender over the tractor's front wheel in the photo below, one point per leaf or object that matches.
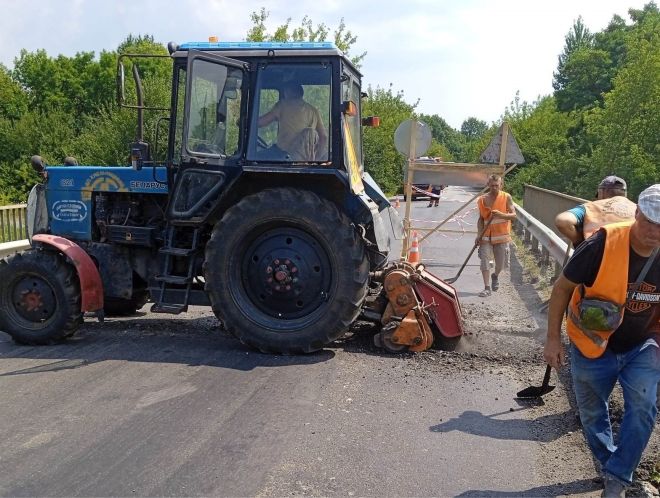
(91, 286)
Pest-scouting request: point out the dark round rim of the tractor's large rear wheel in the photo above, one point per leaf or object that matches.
(287, 273)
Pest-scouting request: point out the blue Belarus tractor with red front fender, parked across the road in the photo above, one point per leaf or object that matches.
(277, 229)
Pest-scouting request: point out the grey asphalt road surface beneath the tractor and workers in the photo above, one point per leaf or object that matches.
(157, 406)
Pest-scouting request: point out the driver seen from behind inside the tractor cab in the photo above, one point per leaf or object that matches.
(300, 133)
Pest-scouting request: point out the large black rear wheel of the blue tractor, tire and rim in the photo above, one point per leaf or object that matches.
(286, 271)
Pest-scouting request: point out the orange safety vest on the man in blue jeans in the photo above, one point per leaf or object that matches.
(611, 284)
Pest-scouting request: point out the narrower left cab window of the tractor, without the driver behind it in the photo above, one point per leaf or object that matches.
(214, 109)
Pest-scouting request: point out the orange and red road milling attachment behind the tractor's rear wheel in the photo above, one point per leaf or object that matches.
(419, 310)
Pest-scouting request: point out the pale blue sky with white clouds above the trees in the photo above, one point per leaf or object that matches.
(457, 59)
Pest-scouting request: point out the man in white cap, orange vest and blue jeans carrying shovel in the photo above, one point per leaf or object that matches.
(611, 287)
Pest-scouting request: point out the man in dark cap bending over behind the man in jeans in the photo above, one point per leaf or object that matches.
(611, 206)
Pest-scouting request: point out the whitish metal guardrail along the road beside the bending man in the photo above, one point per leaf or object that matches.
(542, 239)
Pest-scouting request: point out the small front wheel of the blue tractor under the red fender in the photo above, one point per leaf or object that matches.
(39, 297)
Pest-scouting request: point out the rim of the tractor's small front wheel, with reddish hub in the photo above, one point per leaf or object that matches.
(33, 299)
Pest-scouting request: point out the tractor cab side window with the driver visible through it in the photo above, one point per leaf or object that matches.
(291, 113)
